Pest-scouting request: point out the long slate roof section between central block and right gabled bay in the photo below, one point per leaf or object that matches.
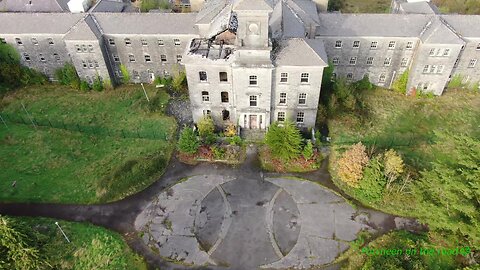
(372, 25)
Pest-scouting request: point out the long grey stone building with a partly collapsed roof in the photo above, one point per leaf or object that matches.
(252, 62)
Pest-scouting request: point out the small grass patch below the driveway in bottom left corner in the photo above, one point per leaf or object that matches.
(91, 247)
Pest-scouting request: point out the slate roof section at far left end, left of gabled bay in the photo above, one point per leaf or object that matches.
(37, 23)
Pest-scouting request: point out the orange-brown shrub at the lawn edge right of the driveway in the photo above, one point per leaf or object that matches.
(350, 166)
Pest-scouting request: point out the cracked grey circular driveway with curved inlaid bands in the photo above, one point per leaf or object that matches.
(246, 223)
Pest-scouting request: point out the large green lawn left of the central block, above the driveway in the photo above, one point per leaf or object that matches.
(92, 154)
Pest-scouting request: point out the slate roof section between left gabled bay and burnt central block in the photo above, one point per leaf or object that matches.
(146, 23)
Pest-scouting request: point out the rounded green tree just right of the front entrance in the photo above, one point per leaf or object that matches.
(284, 141)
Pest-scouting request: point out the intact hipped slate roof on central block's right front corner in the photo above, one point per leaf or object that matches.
(301, 52)
